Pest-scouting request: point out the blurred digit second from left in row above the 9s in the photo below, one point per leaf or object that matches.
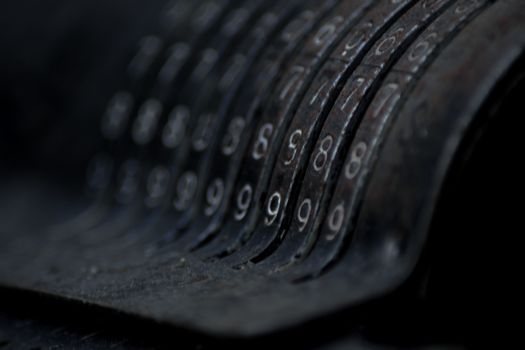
(146, 123)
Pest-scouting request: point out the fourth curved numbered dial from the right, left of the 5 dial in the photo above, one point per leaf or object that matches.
(255, 96)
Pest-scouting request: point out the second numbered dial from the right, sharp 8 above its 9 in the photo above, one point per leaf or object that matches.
(362, 86)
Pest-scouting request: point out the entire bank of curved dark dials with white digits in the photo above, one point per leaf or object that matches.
(246, 131)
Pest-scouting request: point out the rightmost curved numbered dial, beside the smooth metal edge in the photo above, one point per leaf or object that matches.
(342, 202)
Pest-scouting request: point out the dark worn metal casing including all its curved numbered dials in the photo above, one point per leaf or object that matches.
(260, 165)
